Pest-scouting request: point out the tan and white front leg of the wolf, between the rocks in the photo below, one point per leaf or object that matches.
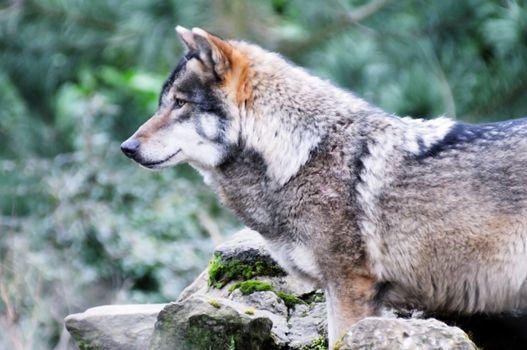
(348, 301)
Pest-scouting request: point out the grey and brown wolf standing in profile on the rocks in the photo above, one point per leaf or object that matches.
(376, 209)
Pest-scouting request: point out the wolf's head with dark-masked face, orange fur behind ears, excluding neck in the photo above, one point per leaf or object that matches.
(197, 120)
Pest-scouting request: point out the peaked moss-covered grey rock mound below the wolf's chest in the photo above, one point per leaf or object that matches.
(217, 304)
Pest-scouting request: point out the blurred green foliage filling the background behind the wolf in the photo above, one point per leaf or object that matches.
(81, 225)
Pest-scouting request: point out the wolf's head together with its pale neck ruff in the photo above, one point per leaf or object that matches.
(225, 98)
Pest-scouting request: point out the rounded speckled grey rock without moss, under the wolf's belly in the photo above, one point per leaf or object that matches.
(405, 334)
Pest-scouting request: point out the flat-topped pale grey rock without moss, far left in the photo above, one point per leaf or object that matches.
(114, 326)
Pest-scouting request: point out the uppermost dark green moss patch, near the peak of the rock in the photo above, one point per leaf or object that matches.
(223, 271)
